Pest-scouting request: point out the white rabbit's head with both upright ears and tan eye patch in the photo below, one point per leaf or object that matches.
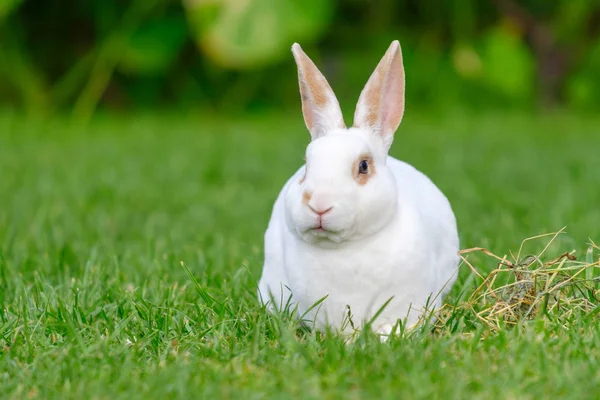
(345, 191)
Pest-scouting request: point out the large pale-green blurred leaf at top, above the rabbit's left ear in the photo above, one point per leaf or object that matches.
(241, 34)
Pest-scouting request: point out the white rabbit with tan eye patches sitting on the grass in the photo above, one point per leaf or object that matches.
(355, 224)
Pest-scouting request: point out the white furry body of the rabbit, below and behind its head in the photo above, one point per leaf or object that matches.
(413, 260)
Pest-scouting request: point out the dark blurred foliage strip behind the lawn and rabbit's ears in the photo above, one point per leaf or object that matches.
(78, 57)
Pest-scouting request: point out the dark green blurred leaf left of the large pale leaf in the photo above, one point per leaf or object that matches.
(154, 46)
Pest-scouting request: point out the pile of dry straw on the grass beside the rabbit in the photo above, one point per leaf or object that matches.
(528, 287)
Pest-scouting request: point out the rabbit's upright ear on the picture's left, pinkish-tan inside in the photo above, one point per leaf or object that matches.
(319, 105)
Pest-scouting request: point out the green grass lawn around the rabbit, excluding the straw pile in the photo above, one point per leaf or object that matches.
(95, 222)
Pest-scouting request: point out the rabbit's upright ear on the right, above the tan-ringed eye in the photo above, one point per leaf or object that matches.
(381, 103)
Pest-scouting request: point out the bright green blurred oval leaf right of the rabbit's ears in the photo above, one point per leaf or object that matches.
(508, 65)
